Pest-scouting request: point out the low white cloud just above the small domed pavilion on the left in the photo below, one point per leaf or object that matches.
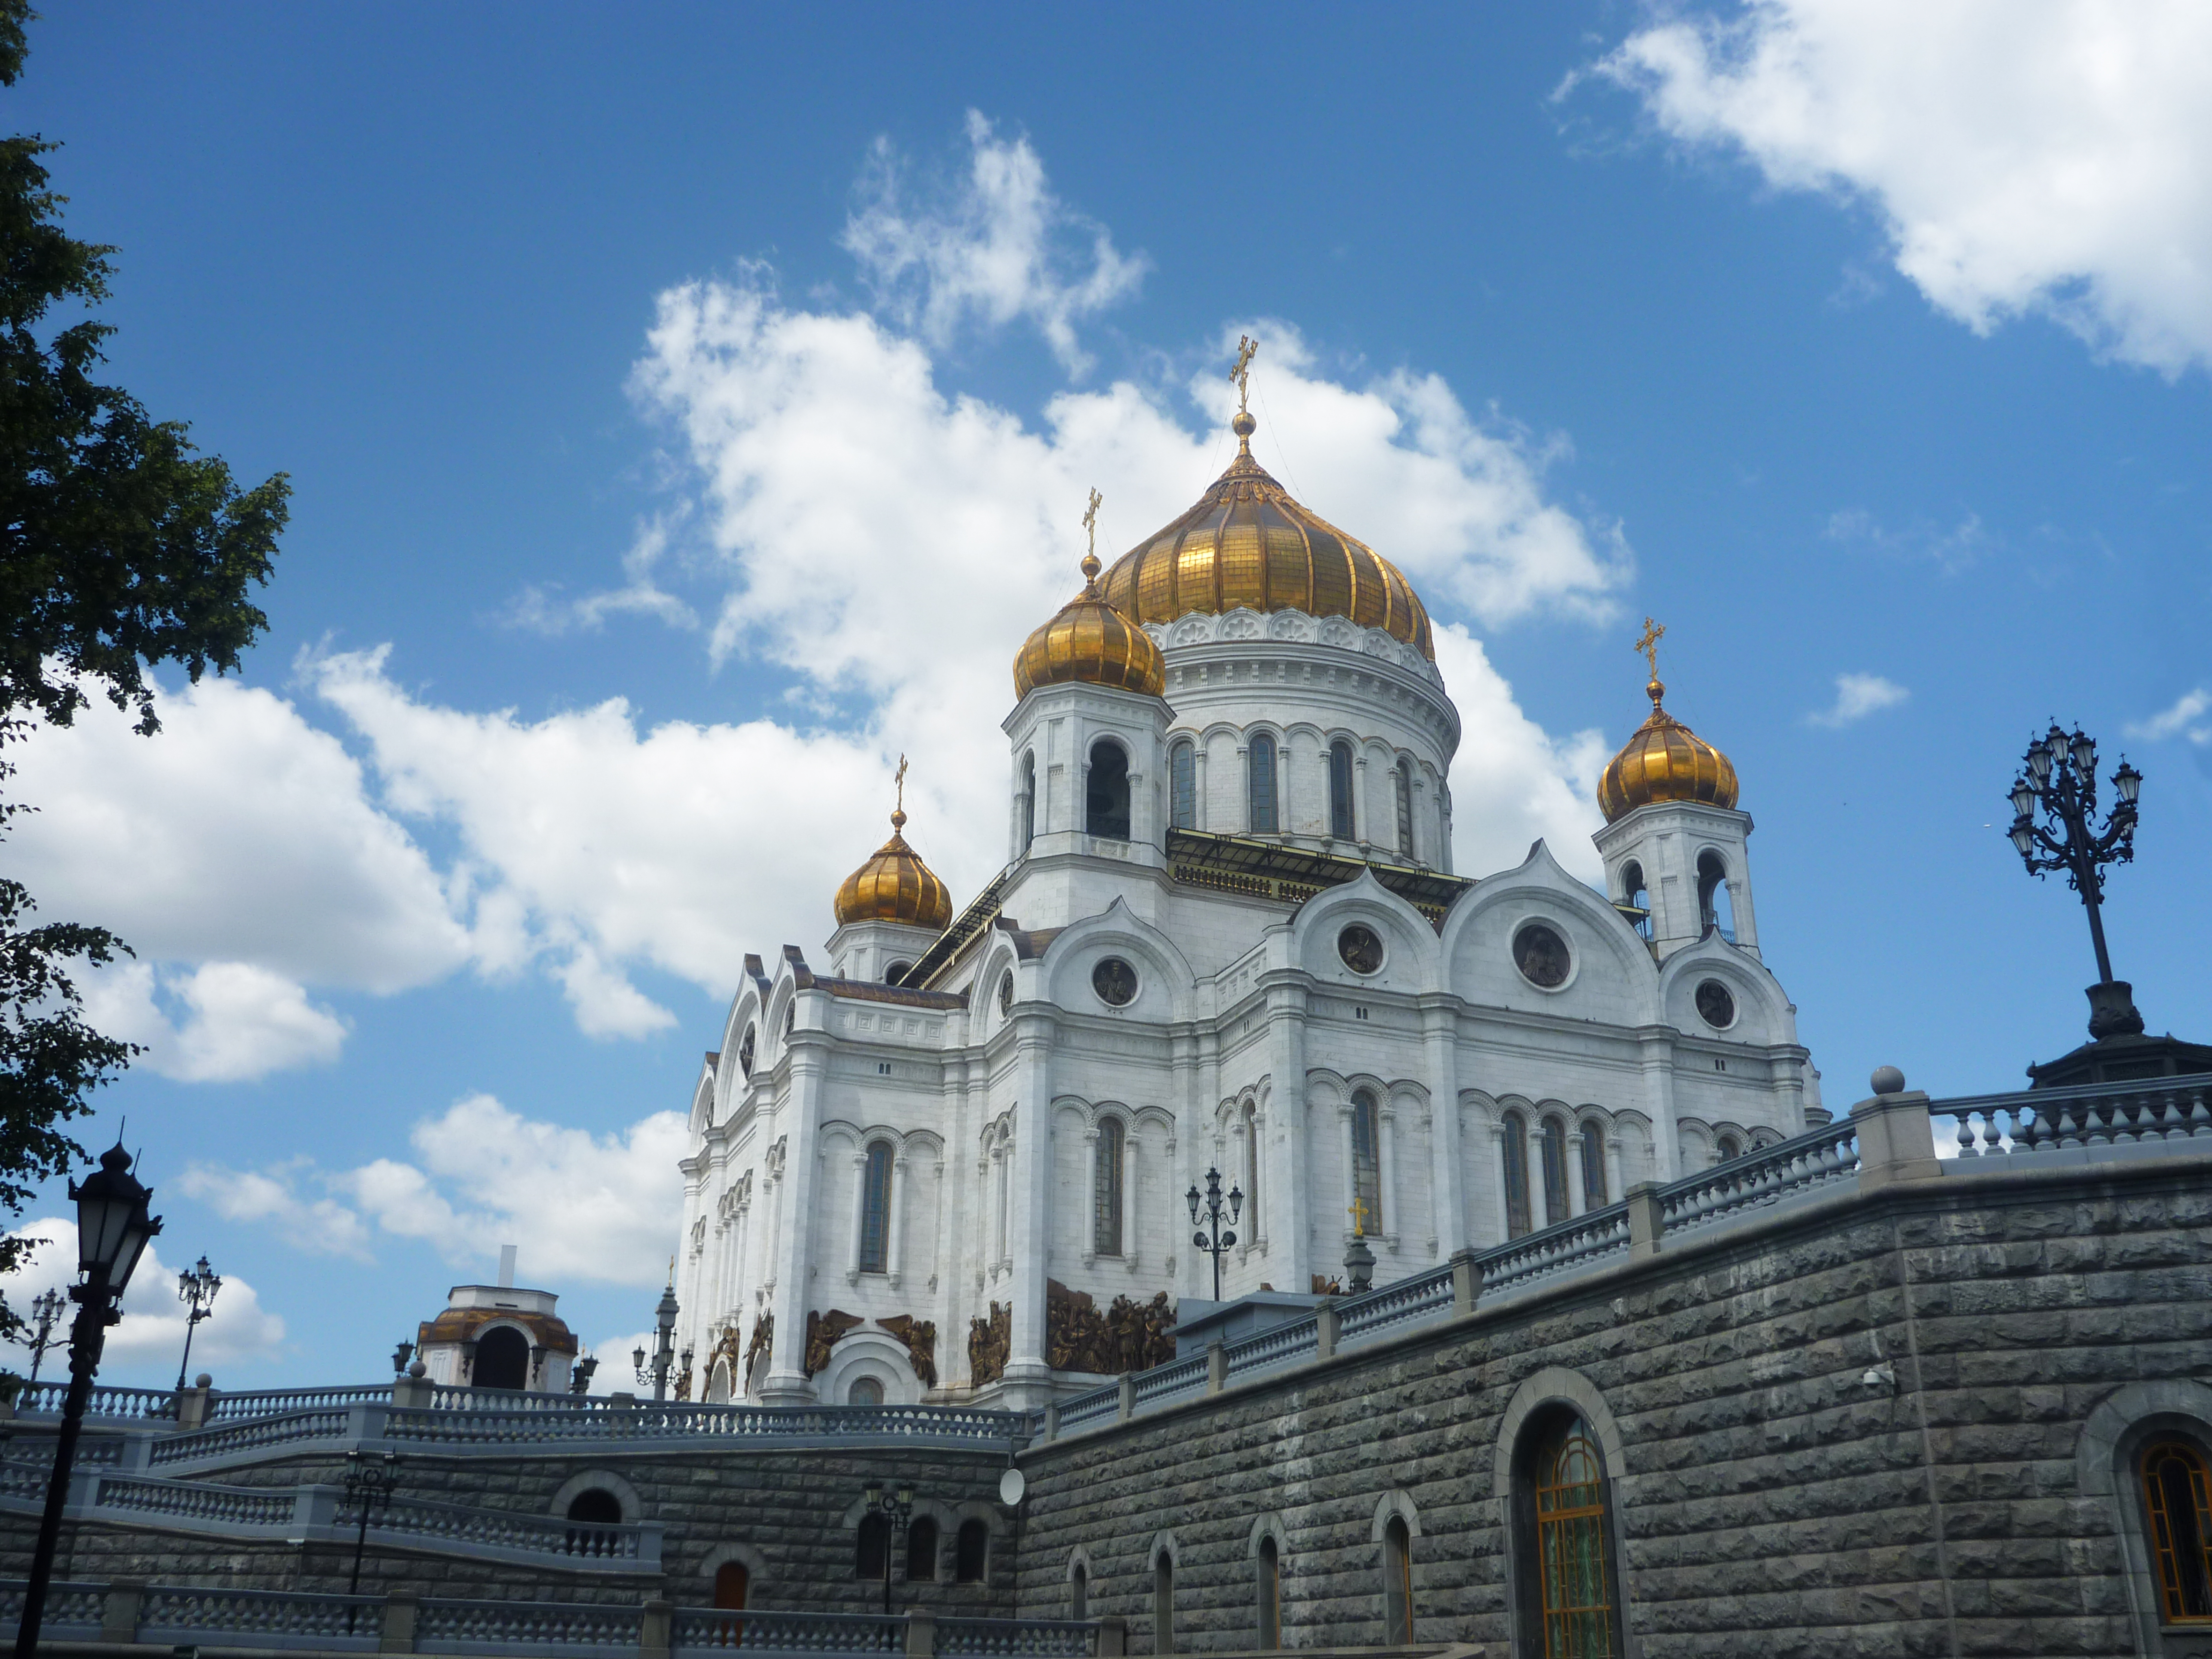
(576, 1204)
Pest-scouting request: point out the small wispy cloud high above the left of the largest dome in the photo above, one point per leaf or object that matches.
(1001, 247)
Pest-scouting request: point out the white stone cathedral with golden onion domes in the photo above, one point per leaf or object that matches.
(961, 1156)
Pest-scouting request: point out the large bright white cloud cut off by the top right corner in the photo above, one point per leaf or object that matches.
(2025, 156)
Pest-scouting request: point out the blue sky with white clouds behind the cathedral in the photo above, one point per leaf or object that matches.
(689, 410)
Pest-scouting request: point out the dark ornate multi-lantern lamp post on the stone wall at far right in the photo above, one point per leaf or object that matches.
(2054, 828)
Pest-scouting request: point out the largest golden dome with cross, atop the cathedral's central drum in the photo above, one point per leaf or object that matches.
(1251, 545)
